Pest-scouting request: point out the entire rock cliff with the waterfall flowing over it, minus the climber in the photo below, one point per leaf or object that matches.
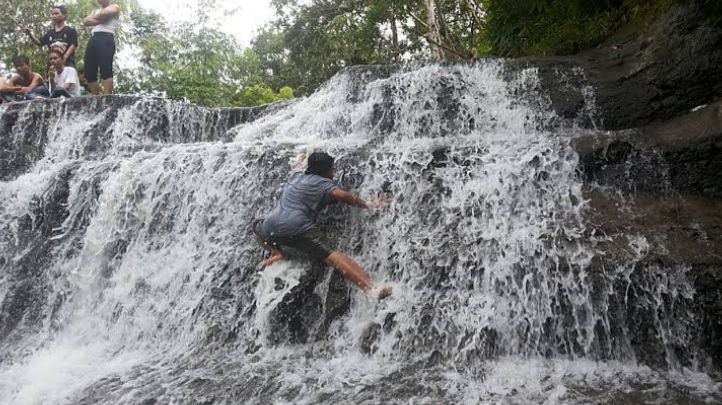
(556, 222)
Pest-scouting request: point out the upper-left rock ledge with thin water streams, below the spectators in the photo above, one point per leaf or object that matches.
(26, 128)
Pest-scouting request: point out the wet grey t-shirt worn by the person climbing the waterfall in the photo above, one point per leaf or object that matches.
(303, 197)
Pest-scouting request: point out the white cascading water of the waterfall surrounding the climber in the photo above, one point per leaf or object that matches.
(150, 290)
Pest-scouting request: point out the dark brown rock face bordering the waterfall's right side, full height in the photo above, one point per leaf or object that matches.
(659, 177)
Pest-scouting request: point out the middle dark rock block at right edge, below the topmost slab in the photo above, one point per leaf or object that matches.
(683, 154)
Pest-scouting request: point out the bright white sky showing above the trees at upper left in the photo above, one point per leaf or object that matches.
(241, 18)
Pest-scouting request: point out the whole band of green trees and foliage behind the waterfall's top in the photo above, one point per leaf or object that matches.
(311, 40)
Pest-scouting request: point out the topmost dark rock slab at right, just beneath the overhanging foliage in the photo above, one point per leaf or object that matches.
(641, 74)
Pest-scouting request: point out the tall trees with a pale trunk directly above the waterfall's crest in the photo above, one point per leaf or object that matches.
(311, 41)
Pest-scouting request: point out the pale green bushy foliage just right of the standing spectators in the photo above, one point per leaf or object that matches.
(201, 66)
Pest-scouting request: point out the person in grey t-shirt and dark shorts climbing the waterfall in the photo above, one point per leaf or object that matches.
(292, 223)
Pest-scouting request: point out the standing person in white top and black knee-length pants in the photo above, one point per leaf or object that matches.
(101, 46)
